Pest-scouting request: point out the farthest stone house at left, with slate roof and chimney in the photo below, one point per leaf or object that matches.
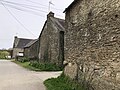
(18, 46)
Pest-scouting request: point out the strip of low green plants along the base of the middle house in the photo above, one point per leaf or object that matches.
(36, 66)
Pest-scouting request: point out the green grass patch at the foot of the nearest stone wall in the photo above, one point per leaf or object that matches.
(62, 83)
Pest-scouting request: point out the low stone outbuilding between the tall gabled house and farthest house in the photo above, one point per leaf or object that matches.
(31, 50)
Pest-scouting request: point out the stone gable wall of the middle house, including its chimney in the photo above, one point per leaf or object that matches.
(49, 42)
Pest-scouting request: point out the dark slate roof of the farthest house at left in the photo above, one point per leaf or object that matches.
(21, 42)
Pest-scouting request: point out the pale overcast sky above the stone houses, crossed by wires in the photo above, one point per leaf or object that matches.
(25, 18)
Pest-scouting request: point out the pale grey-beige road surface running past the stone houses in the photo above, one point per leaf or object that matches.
(14, 77)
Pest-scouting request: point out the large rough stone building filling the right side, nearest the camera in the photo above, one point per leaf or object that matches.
(92, 43)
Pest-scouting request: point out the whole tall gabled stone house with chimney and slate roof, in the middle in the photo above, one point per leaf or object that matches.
(51, 40)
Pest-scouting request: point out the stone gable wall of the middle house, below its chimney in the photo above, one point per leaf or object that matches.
(49, 44)
